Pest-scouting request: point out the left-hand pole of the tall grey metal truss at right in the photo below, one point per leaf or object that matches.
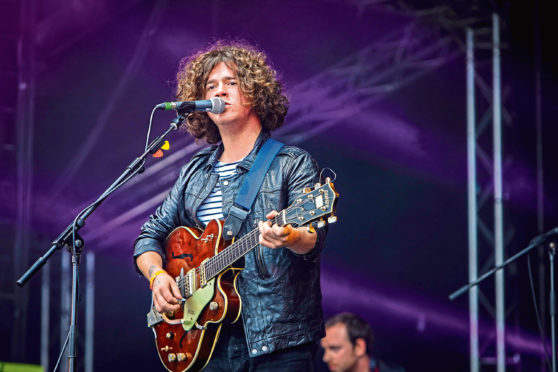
(472, 206)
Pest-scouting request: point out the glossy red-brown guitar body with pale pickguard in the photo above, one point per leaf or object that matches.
(187, 345)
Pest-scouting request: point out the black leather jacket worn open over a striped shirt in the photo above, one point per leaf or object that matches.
(280, 290)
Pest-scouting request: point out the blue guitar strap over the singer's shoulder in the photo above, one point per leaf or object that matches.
(249, 190)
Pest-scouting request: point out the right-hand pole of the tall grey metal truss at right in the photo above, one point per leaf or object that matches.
(498, 209)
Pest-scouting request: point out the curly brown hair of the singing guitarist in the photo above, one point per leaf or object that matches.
(258, 82)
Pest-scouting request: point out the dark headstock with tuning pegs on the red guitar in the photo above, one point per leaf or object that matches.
(316, 204)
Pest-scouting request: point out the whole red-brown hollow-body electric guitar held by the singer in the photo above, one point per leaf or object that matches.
(202, 263)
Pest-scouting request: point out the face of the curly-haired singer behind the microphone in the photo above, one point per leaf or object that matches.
(223, 82)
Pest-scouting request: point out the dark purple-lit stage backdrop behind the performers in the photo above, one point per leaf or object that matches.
(378, 94)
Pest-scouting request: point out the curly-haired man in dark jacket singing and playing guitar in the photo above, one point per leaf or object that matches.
(281, 320)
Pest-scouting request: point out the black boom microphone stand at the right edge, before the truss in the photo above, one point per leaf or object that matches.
(535, 242)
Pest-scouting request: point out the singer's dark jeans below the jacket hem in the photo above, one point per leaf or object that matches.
(231, 355)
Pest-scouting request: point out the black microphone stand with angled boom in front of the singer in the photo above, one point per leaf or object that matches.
(75, 243)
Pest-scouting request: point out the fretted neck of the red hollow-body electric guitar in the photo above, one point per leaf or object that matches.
(238, 249)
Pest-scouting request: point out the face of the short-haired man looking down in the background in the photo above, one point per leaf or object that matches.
(339, 353)
